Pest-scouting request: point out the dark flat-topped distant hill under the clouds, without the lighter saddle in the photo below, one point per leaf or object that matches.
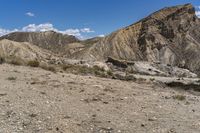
(49, 40)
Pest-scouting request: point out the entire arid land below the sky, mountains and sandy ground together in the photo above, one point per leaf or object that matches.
(143, 78)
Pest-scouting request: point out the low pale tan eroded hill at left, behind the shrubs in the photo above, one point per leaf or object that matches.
(16, 52)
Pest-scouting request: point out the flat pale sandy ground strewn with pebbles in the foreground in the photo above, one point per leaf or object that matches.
(33, 100)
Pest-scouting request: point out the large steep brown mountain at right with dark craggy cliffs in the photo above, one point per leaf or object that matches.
(170, 36)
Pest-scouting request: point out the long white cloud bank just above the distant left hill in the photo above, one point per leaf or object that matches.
(79, 33)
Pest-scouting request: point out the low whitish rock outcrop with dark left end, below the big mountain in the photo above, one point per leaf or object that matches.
(148, 68)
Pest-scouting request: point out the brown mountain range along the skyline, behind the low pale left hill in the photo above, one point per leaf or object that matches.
(169, 36)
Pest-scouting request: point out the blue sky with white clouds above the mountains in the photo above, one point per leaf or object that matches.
(83, 18)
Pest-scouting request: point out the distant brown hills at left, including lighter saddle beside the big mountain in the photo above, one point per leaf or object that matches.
(58, 43)
